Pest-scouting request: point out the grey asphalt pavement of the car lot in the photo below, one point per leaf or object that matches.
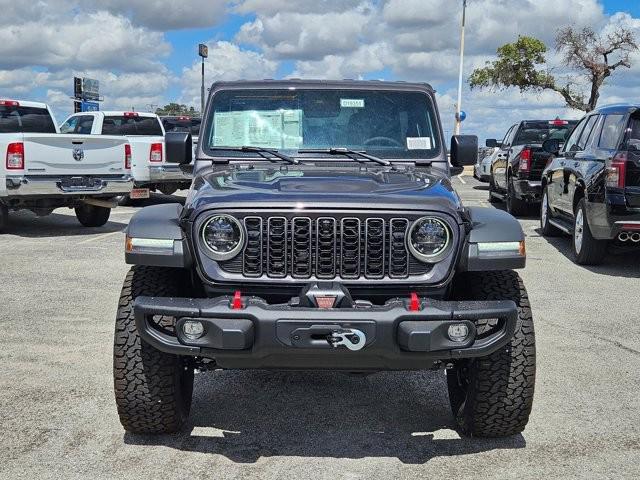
(59, 287)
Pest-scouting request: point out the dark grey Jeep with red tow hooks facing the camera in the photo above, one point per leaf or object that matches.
(322, 231)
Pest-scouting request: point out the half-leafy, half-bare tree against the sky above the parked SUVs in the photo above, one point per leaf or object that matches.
(523, 64)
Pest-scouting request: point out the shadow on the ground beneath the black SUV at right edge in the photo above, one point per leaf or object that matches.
(619, 262)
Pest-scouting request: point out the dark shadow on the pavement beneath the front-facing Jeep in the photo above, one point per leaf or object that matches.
(246, 415)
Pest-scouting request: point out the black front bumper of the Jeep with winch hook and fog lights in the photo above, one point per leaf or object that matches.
(284, 337)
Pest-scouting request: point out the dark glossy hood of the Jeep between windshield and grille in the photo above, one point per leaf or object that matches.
(319, 186)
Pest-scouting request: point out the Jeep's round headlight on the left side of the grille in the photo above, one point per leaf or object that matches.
(223, 236)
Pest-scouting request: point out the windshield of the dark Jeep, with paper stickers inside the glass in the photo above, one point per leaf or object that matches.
(387, 124)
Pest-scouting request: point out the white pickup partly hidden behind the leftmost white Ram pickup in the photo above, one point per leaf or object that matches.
(146, 133)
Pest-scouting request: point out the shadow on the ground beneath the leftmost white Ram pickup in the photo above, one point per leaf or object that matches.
(27, 224)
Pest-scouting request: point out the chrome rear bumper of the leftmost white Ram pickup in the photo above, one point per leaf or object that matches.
(63, 186)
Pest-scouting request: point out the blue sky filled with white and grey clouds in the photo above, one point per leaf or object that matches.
(144, 51)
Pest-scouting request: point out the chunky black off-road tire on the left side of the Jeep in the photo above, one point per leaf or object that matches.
(153, 389)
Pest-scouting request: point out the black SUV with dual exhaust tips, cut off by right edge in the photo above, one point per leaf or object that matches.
(592, 185)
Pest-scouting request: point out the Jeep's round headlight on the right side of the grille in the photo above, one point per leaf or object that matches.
(429, 239)
